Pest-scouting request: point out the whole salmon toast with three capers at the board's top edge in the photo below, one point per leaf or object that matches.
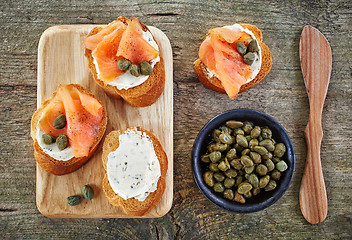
(125, 61)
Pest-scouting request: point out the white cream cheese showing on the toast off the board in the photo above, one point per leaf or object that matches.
(256, 65)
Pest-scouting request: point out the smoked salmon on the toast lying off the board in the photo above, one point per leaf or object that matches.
(219, 54)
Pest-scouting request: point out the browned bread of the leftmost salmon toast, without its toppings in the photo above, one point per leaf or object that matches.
(52, 165)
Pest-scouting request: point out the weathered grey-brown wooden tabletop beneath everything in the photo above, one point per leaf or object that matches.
(281, 94)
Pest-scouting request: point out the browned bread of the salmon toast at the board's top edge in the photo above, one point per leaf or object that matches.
(140, 96)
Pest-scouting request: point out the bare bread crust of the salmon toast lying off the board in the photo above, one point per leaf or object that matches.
(214, 83)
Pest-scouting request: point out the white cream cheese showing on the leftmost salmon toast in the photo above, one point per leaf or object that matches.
(52, 150)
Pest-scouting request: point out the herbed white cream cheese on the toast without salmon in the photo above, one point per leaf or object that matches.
(133, 169)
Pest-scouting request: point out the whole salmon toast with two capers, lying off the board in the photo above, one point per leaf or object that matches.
(226, 71)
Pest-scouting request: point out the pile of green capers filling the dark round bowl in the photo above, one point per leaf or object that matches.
(243, 160)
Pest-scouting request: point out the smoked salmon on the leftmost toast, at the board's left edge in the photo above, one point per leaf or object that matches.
(83, 115)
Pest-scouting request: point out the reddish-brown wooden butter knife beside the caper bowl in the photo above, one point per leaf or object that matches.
(316, 64)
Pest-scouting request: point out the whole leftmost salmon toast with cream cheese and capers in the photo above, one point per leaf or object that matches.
(67, 129)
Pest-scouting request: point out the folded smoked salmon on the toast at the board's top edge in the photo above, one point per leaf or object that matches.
(116, 41)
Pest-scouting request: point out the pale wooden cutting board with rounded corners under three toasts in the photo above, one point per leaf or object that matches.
(61, 61)
